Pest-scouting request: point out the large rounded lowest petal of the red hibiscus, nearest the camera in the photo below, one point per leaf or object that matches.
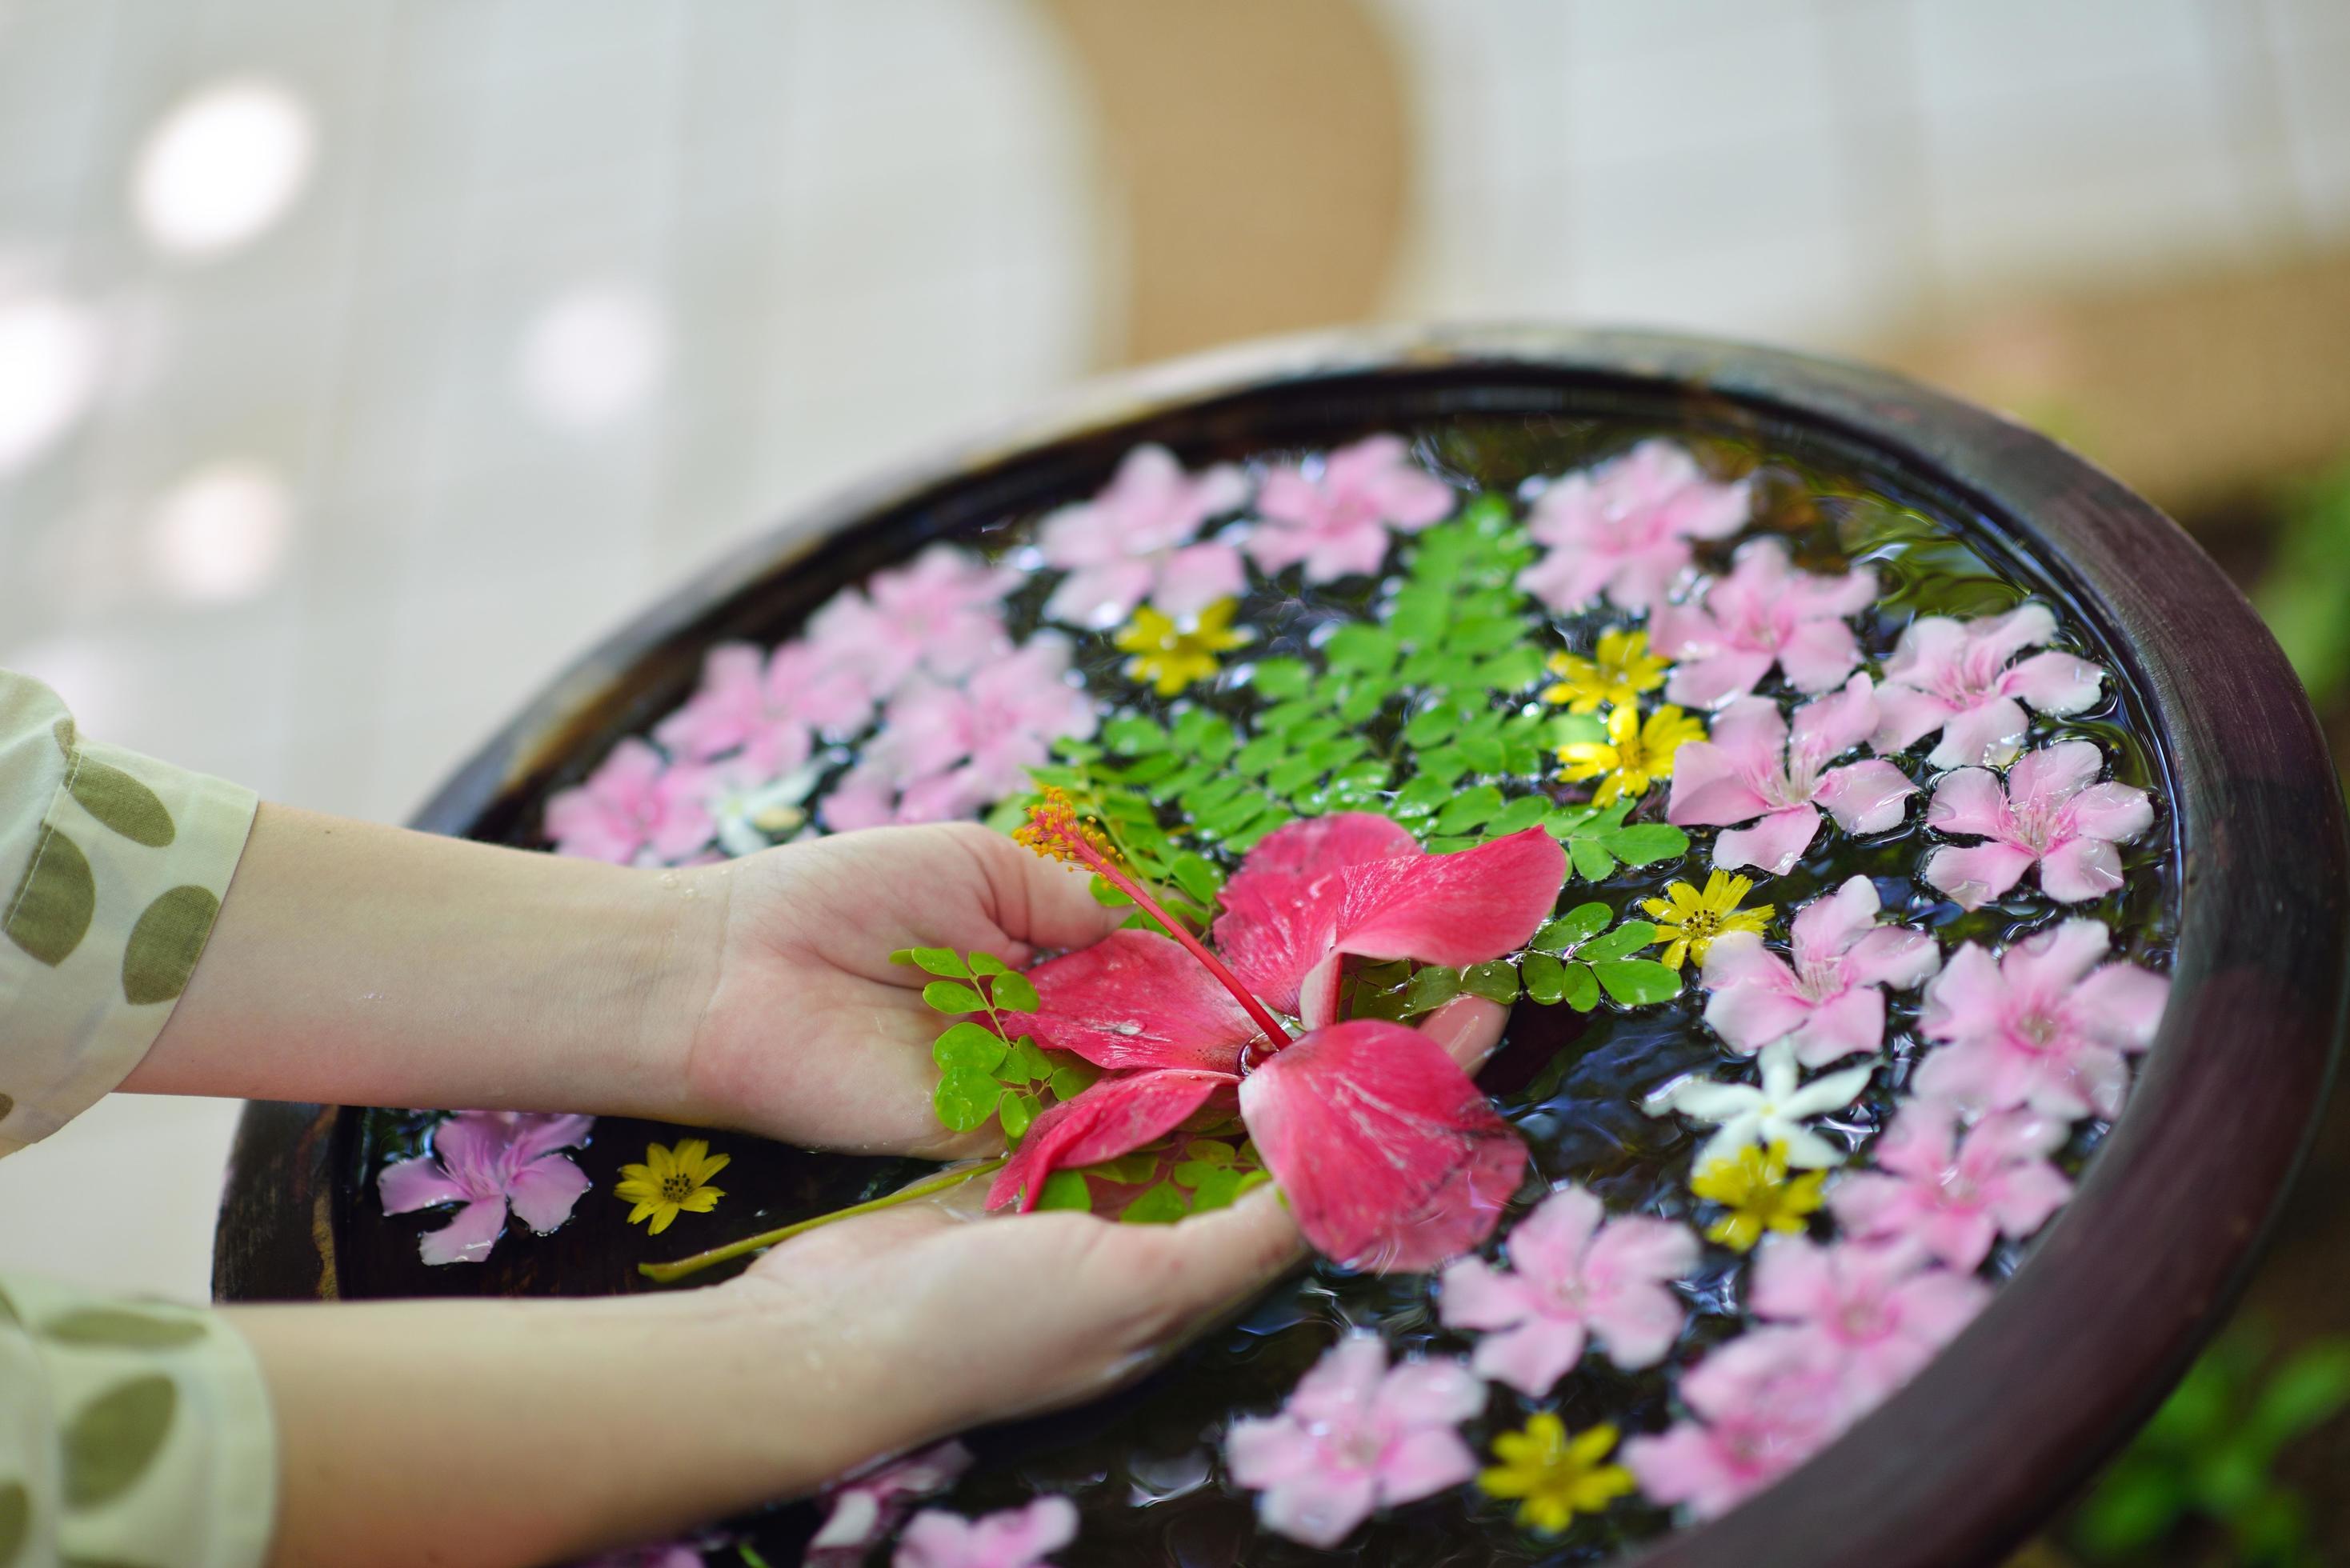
(1388, 1153)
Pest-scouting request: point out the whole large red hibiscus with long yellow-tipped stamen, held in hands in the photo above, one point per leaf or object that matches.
(1385, 1151)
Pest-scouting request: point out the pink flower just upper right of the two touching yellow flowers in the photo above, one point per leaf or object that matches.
(1761, 615)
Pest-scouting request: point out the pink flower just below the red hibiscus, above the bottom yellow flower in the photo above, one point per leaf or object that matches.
(1571, 1278)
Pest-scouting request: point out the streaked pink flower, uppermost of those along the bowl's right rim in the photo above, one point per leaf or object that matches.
(1961, 678)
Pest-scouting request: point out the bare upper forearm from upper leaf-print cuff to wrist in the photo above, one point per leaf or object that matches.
(384, 967)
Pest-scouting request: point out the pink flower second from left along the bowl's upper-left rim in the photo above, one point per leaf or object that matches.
(770, 709)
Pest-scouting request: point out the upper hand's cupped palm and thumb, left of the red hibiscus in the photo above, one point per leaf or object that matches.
(812, 1036)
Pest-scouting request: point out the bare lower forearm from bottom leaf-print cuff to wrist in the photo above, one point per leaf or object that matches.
(523, 1433)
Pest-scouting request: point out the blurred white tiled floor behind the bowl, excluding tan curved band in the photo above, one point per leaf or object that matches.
(868, 222)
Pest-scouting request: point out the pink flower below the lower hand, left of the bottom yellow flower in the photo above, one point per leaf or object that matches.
(1352, 1438)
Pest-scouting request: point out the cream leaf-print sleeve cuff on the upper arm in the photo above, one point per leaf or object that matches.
(114, 871)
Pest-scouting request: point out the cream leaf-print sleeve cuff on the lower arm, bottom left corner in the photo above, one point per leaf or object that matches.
(130, 1433)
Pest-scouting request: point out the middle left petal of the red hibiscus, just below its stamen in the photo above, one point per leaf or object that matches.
(1136, 1000)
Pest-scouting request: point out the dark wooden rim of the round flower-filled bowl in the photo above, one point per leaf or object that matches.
(2133, 1275)
